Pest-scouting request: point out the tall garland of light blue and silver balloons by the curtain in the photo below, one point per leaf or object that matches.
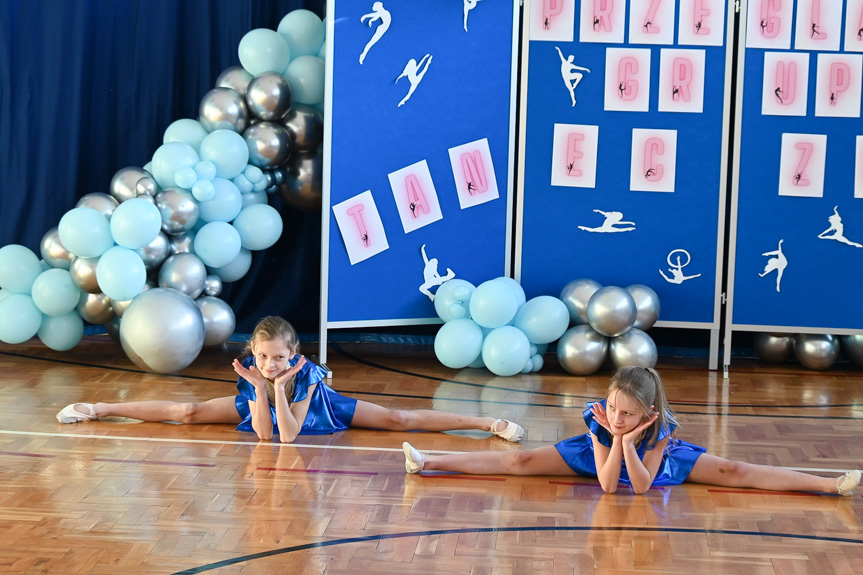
(149, 259)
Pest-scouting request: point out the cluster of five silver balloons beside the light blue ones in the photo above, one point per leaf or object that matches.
(607, 322)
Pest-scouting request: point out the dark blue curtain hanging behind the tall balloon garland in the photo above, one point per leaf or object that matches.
(87, 87)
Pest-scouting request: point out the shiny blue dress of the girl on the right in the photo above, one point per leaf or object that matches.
(677, 461)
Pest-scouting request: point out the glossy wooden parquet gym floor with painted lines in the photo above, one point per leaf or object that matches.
(122, 496)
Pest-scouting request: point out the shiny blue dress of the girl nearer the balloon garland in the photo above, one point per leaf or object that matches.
(328, 411)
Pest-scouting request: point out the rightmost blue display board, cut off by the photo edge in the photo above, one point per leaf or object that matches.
(797, 215)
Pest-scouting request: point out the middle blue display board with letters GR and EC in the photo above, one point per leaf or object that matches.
(625, 123)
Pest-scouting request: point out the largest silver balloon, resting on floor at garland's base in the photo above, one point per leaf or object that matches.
(162, 330)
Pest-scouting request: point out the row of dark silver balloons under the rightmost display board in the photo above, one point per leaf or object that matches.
(815, 351)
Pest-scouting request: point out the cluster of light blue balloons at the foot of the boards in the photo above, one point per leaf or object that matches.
(493, 326)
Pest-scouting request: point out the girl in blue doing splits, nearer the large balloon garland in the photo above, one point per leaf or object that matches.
(280, 393)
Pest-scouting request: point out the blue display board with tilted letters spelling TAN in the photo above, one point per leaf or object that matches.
(419, 154)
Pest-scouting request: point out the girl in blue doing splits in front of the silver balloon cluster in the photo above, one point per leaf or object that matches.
(630, 442)
